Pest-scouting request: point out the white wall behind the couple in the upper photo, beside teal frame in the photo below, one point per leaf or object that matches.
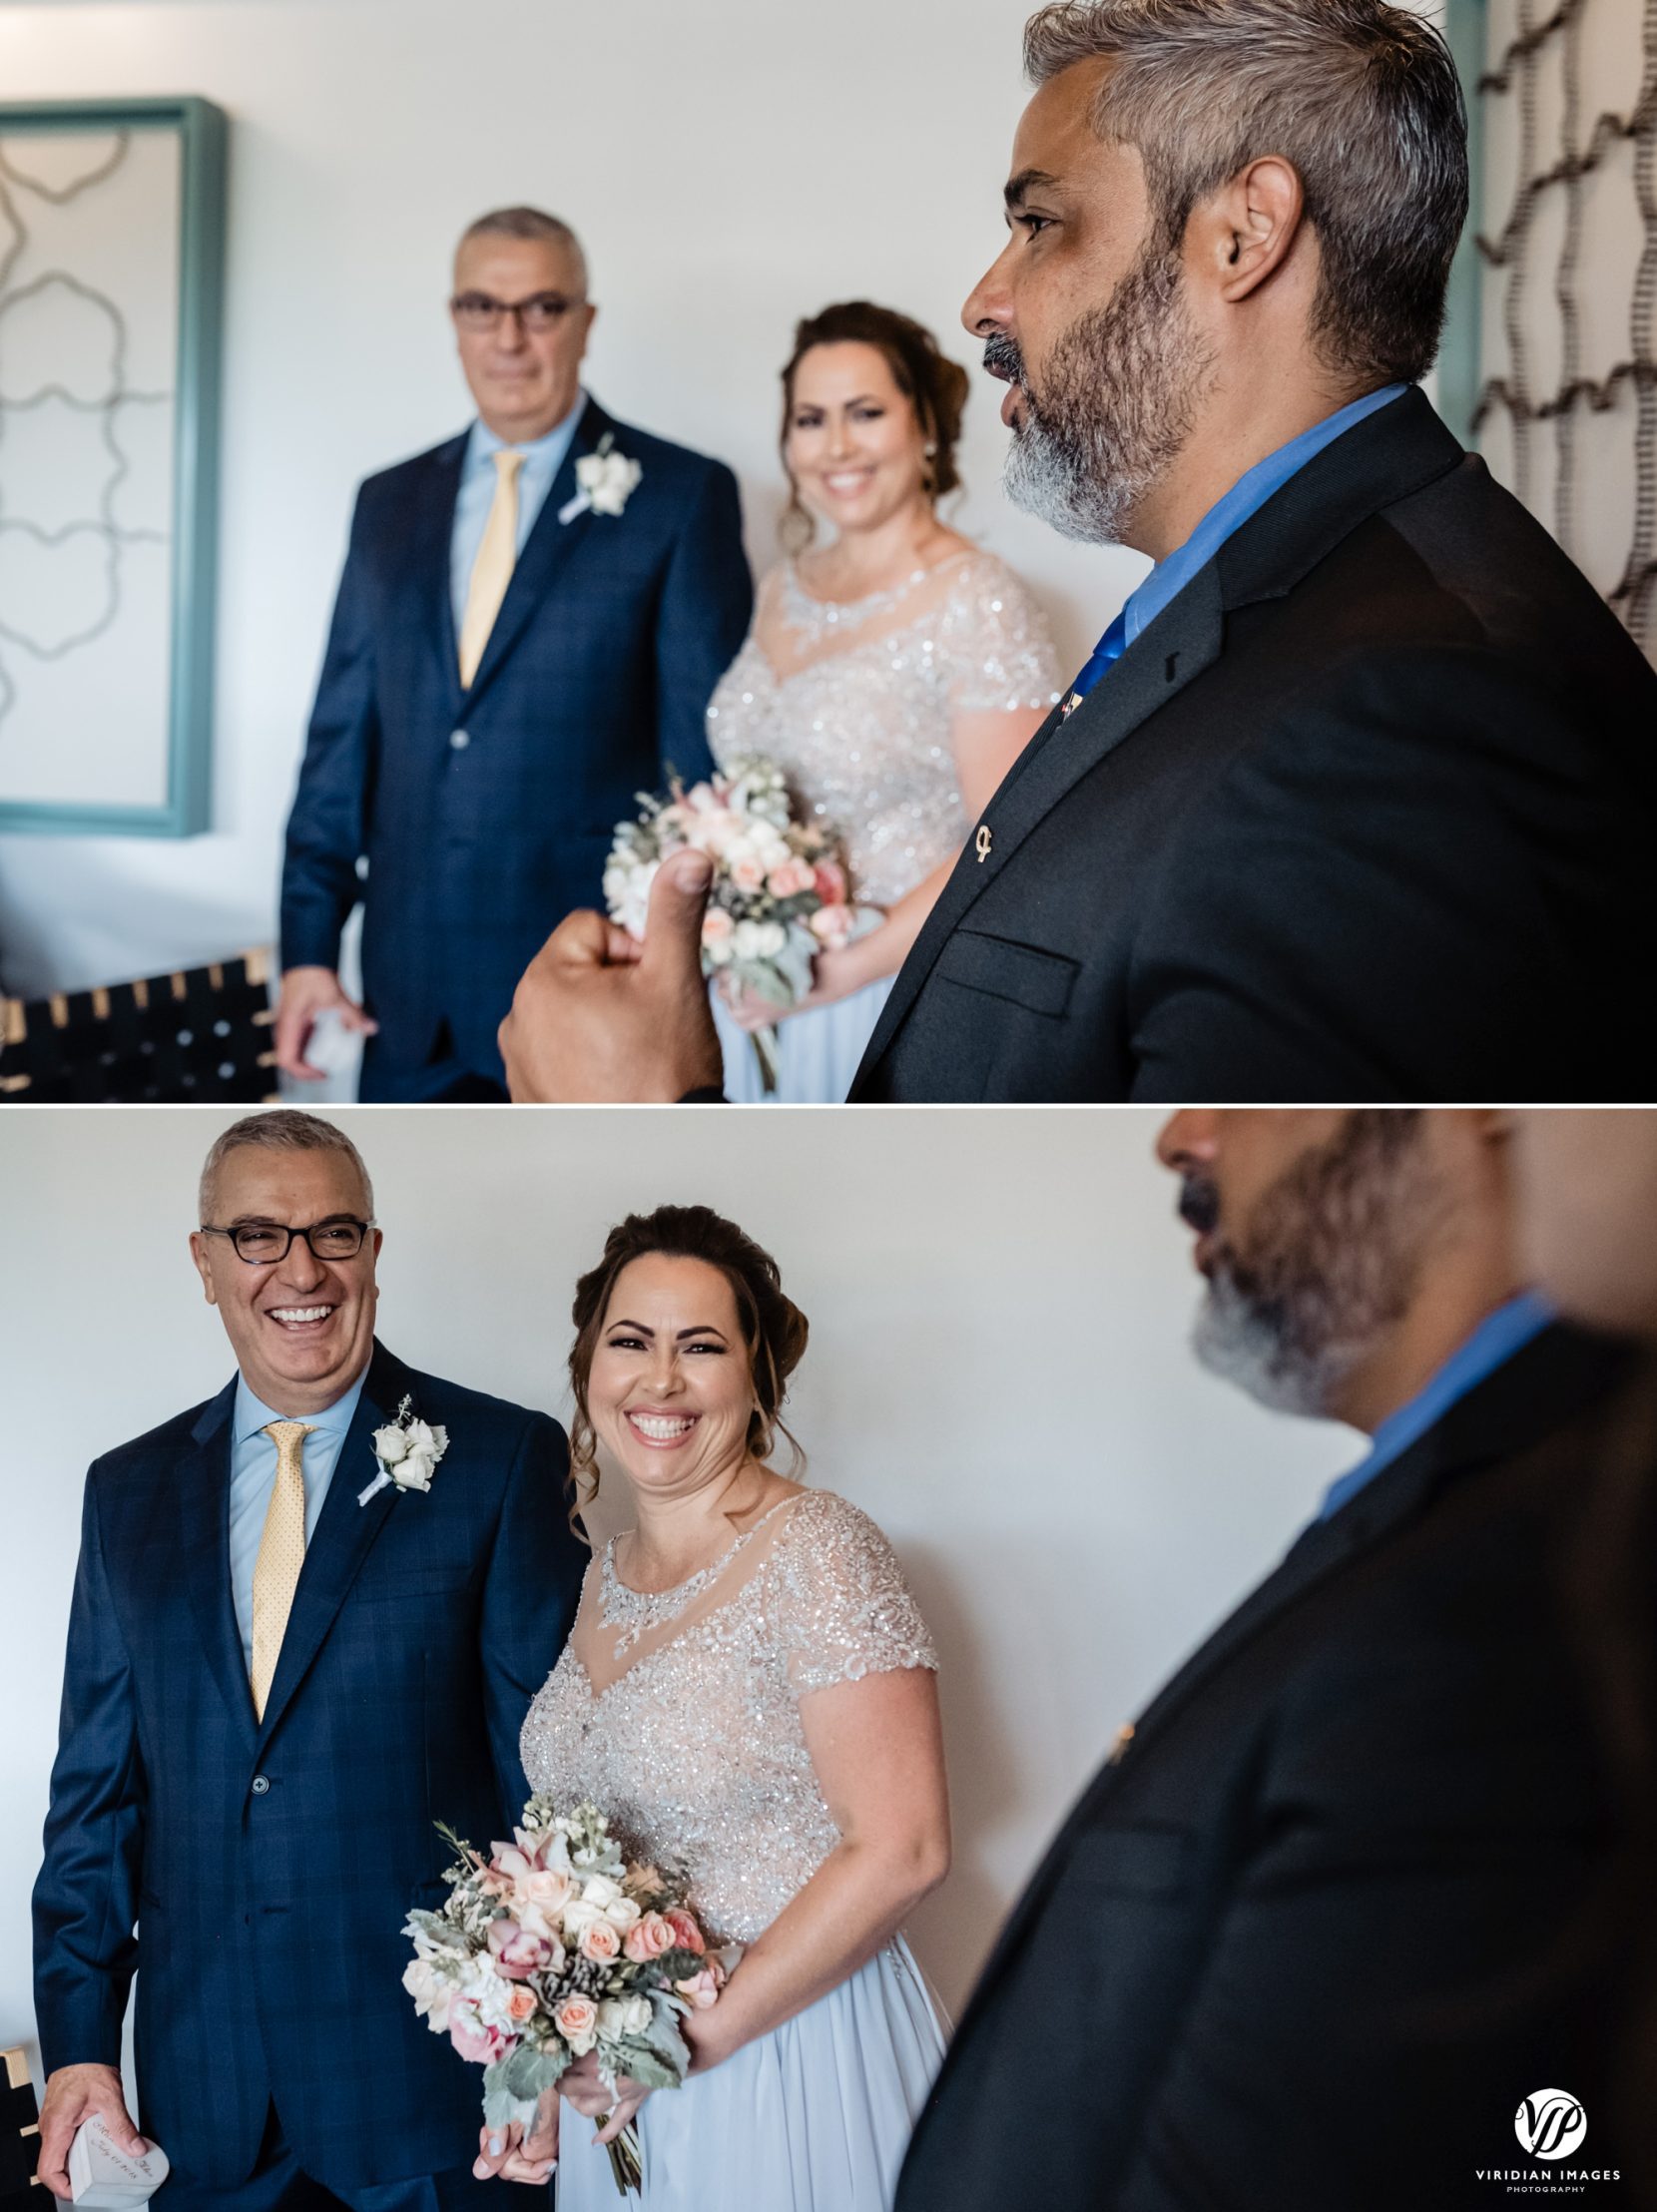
(731, 167)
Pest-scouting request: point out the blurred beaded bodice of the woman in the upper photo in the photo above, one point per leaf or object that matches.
(859, 716)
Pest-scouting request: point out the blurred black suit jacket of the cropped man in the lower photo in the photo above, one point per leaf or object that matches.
(1346, 1899)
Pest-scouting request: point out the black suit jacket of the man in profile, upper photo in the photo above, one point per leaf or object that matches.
(1364, 815)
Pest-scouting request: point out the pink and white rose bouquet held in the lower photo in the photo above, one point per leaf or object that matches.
(556, 1948)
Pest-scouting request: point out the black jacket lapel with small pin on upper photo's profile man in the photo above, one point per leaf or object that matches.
(1174, 651)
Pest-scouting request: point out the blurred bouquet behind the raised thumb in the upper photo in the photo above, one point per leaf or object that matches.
(780, 893)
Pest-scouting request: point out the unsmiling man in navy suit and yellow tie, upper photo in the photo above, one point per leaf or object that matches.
(514, 658)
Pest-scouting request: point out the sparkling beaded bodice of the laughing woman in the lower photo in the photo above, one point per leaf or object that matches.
(687, 1731)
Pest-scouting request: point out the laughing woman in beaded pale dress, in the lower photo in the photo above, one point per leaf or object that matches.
(751, 1695)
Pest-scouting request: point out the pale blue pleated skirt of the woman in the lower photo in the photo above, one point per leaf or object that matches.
(813, 2118)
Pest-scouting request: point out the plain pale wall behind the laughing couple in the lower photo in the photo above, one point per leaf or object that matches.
(999, 1373)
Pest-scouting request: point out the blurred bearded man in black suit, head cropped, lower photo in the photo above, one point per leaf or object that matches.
(1342, 1908)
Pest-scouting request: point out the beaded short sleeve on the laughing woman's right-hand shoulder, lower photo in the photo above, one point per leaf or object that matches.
(840, 1603)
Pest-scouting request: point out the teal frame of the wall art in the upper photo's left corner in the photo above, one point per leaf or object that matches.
(202, 132)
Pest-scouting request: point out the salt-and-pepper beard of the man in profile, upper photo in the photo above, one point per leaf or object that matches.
(1123, 395)
